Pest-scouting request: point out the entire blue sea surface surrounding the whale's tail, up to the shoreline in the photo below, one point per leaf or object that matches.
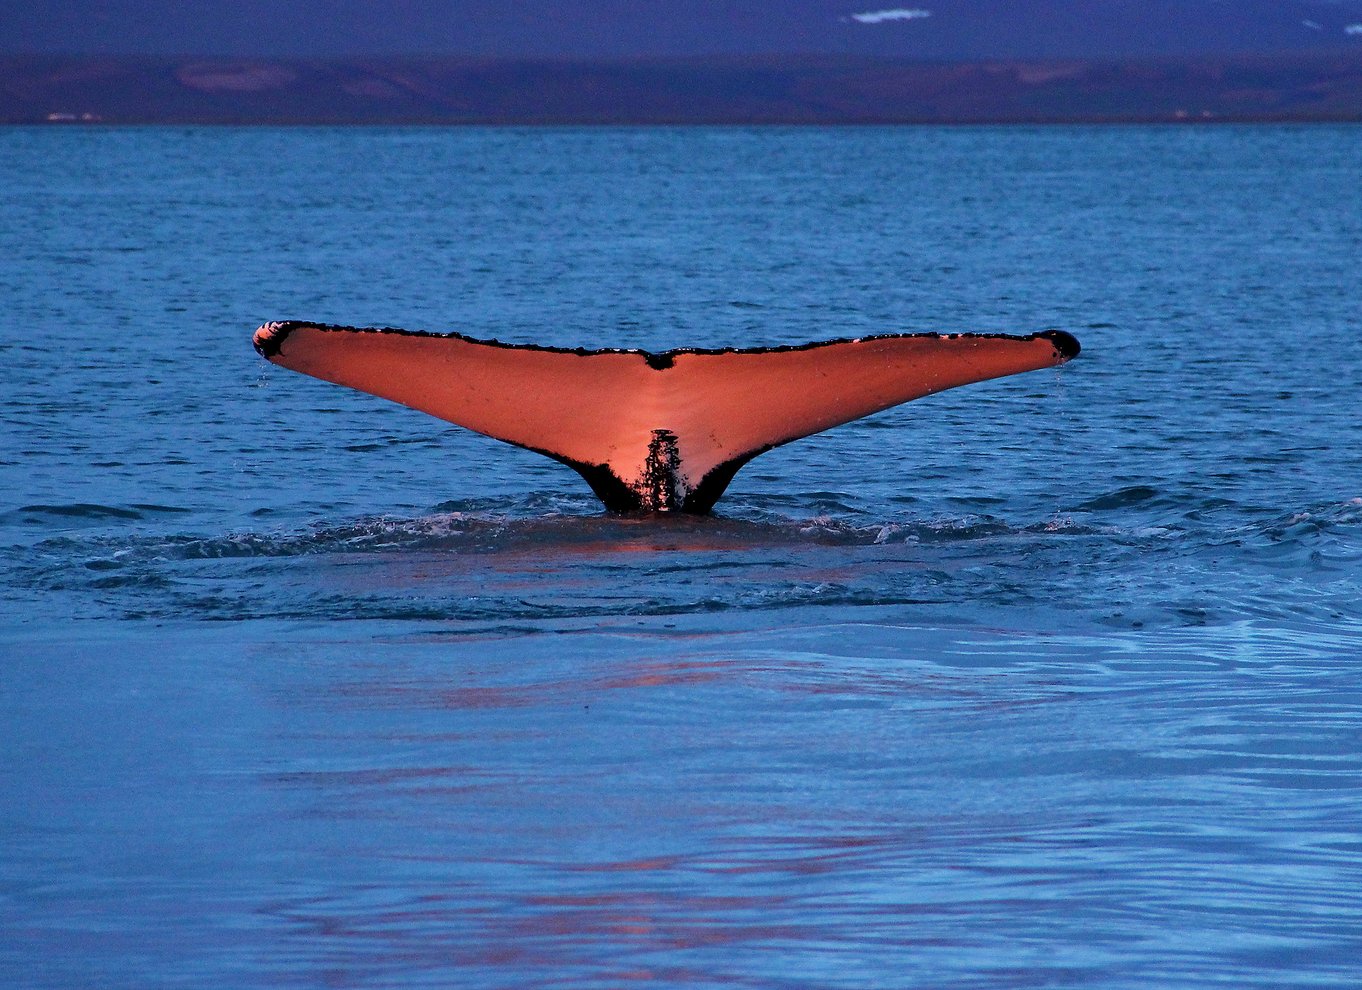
(1051, 682)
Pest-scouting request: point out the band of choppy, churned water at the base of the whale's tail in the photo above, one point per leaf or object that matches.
(520, 562)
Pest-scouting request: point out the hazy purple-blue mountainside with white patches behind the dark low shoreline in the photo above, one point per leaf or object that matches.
(934, 29)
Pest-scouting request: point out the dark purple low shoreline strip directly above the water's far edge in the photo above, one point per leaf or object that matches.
(694, 91)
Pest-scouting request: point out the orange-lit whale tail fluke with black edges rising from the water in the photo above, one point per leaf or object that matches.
(652, 431)
